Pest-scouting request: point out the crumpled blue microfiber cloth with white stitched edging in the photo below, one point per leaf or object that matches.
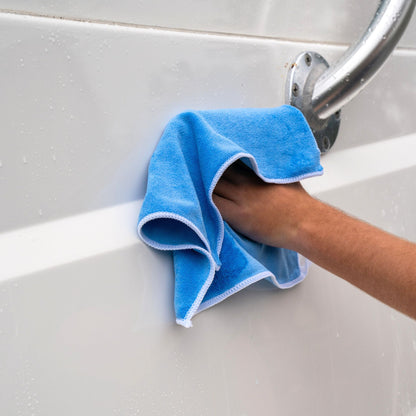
(212, 261)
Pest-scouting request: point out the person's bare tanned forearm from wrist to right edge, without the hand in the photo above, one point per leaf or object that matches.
(379, 263)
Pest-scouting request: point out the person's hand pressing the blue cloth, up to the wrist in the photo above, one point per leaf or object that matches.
(267, 213)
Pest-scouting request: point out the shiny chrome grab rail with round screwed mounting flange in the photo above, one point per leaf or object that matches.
(320, 90)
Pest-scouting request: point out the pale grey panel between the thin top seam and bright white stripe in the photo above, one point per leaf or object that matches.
(83, 105)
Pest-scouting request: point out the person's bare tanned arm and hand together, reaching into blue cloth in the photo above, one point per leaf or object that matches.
(377, 262)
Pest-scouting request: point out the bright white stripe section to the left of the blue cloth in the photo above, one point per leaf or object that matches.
(67, 240)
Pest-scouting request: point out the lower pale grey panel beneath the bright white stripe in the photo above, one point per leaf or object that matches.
(98, 337)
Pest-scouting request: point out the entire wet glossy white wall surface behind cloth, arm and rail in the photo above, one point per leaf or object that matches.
(86, 310)
